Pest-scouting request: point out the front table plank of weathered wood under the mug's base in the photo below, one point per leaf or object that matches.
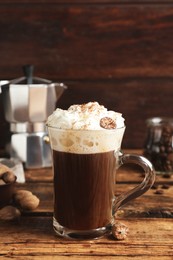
(35, 237)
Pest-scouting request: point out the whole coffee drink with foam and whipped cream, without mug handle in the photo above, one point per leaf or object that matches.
(84, 164)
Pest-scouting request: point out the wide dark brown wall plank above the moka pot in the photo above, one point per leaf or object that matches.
(87, 41)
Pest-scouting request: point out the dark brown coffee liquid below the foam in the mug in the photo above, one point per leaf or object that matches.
(83, 189)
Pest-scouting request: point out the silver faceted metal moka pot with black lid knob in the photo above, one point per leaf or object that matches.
(28, 101)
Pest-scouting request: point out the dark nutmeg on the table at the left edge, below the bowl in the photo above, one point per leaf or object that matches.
(9, 213)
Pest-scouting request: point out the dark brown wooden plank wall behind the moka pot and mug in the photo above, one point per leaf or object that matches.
(119, 53)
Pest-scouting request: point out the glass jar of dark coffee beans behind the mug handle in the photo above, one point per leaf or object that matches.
(159, 144)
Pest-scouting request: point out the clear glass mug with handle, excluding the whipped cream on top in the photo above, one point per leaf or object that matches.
(85, 163)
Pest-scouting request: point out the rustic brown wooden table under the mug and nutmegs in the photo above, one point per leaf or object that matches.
(149, 218)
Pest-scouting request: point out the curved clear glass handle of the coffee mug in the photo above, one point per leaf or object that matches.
(140, 188)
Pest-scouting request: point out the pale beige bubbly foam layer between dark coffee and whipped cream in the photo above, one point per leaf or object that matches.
(85, 141)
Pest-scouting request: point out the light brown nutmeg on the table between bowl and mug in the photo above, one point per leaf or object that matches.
(26, 200)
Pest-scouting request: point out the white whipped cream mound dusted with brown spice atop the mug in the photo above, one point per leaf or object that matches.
(89, 116)
